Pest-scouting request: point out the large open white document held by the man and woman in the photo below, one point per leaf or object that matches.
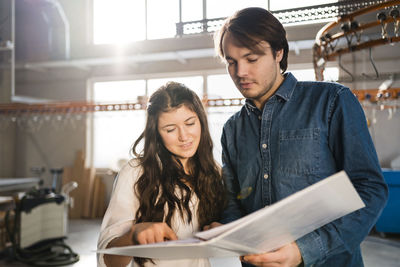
(264, 230)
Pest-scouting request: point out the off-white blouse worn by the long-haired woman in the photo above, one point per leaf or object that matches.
(120, 216)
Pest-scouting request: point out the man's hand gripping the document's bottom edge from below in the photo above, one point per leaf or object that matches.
(286, 256)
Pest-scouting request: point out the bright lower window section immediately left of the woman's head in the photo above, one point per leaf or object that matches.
(114, 132)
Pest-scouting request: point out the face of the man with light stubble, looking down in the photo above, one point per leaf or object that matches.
(256, 75)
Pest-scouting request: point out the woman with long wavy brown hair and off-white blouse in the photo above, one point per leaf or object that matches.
(174, 187)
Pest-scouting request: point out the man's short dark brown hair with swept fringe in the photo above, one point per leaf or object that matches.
(249, 27)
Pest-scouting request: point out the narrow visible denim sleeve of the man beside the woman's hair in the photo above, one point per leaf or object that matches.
(232, 211)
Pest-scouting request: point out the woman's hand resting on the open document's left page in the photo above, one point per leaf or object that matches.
(147, 233)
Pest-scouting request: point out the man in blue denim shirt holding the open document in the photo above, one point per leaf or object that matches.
(289, 135)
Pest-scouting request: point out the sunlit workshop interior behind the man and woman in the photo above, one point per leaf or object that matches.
(75, 77)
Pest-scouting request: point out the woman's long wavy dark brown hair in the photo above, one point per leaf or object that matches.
(163, 173)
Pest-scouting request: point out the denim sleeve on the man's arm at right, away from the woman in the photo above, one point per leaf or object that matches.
(351, 145)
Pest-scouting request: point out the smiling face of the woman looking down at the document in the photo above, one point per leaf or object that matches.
(180, 131)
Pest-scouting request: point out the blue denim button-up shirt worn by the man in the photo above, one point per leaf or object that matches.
(305, 132)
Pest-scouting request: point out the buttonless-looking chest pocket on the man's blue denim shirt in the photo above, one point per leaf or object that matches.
(299, 151)
